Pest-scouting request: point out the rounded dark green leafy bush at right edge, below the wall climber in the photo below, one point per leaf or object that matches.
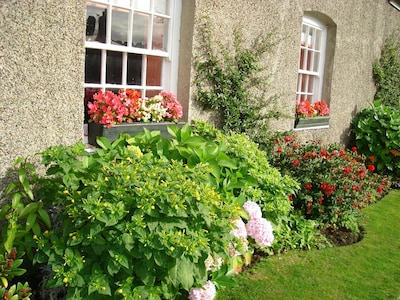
(377, 134)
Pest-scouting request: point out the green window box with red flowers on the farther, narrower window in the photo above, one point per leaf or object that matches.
(311, 114)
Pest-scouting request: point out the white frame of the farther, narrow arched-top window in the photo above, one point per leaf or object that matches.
(315, 93)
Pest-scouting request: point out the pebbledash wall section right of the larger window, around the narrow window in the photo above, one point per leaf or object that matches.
(361, 27)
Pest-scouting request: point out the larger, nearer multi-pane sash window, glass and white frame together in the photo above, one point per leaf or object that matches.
(132, 44)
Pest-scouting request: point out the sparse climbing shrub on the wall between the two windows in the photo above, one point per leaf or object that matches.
(231, 81)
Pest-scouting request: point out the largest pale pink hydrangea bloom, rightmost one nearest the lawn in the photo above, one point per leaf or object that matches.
(261, 231)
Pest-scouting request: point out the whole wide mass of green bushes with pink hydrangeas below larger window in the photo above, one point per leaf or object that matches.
(143, 216)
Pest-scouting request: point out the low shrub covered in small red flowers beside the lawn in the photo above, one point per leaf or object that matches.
(336, 184)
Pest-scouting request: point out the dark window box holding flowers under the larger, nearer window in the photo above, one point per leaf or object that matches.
(97, 130)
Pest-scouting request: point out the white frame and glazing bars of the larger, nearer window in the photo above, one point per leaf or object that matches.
(169, 76)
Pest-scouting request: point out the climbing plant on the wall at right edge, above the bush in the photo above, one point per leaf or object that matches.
(387, 74)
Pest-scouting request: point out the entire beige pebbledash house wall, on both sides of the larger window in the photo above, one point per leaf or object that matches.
(42, 63)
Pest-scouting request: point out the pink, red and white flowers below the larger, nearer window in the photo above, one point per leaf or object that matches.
(128, 106)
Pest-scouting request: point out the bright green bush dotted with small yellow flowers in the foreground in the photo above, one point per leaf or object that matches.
(134, 225)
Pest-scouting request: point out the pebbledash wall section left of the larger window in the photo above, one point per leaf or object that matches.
(41, 76)
